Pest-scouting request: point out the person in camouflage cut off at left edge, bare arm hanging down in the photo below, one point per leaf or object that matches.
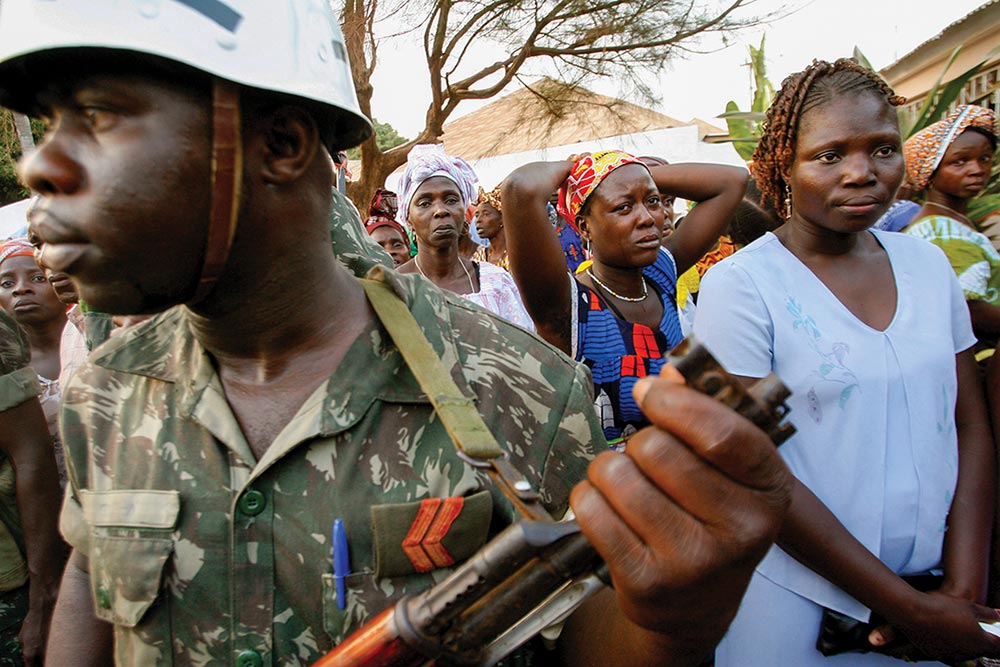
(31, 553)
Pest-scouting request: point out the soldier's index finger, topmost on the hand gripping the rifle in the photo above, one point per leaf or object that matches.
(714, 432)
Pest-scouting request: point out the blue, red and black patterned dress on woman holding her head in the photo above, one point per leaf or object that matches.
(619, 352)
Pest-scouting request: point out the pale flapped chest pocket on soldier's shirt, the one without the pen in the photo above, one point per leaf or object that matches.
(130, 542)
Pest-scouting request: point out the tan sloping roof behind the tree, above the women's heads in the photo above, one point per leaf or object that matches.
(549, 113)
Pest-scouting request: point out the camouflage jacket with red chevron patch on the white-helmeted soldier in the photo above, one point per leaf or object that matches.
(201, 554)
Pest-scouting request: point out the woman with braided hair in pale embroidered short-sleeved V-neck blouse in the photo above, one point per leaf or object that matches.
(893, 453)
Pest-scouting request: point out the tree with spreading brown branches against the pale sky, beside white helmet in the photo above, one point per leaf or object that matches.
(580, 39)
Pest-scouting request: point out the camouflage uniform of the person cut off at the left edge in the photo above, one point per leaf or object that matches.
(18, 383)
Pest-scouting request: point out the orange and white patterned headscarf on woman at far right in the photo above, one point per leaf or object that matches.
(925, 149)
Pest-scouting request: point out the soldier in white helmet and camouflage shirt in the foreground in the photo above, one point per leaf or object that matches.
(212, 448)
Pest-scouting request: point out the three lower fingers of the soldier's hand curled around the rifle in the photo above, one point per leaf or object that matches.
(662, 516)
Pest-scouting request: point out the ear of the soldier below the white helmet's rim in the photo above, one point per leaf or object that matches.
(287, 139)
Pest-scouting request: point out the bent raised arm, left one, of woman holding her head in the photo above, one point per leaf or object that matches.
(536, 258)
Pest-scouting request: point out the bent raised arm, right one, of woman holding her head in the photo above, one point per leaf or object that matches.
(717, 189)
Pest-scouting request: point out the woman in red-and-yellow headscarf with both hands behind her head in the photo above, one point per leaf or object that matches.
(619, 315)
